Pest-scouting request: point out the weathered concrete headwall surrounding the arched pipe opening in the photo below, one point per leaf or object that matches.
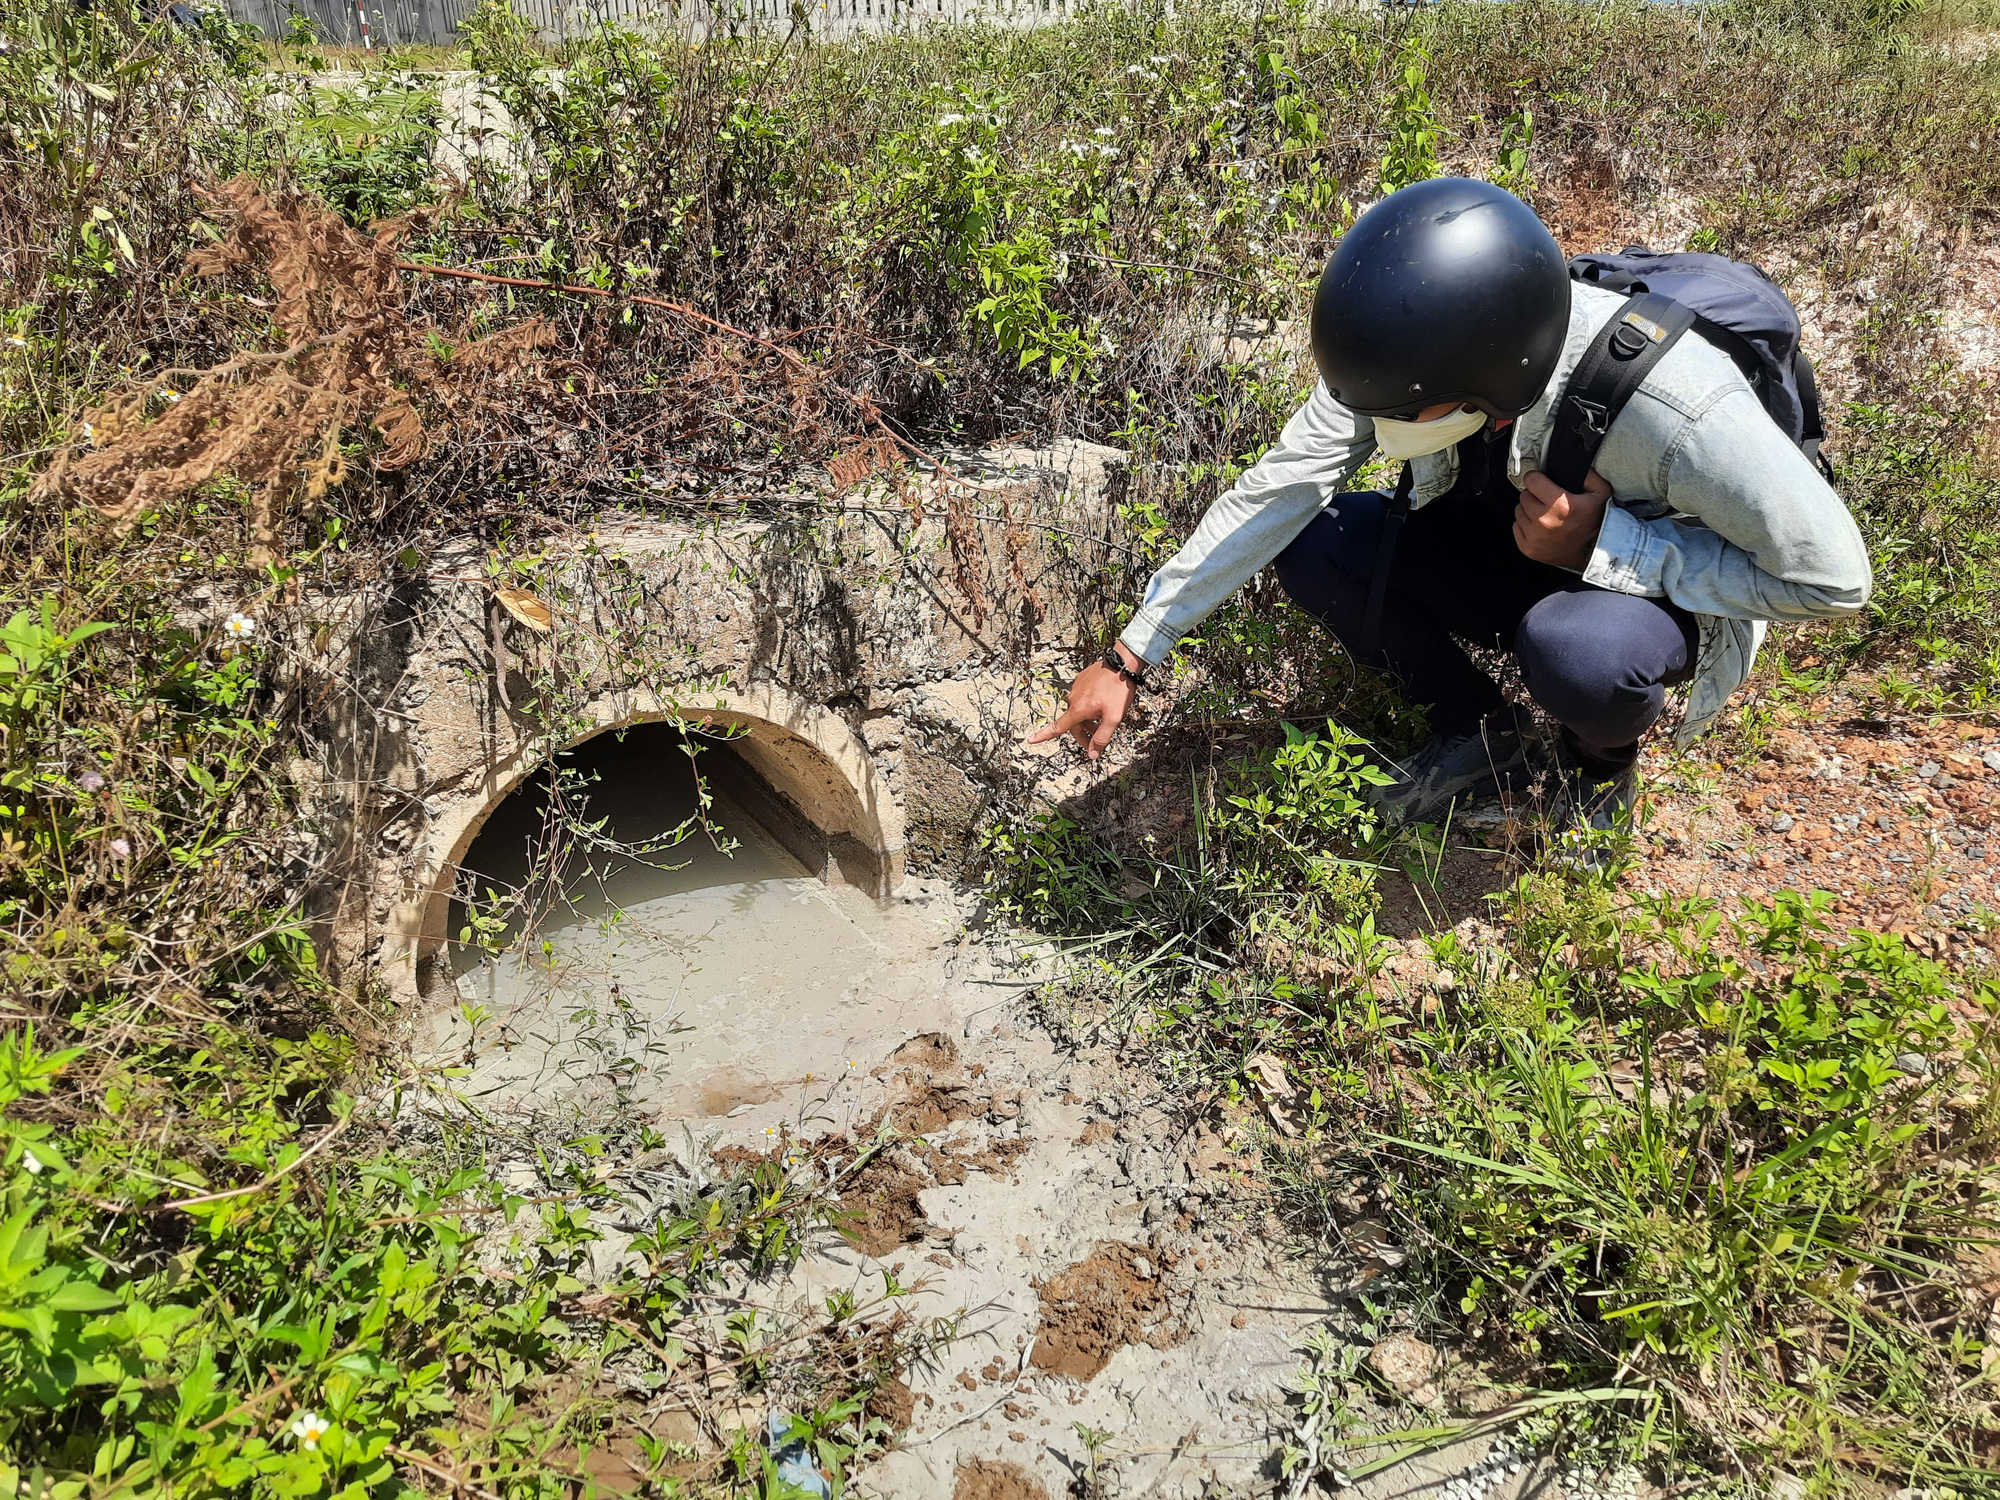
(875, 679)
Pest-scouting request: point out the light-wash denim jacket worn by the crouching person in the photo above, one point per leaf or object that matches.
(1713, 509)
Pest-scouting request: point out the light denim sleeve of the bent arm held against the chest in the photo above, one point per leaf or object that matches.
(1775, 541)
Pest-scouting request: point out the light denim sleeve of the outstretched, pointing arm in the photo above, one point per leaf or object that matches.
(1253, 523)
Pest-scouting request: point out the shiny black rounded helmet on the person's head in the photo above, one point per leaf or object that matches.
(1449, 291)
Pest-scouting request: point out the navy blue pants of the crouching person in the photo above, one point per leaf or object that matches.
(1599, 663)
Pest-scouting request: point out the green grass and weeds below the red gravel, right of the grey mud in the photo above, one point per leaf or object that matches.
(1731, 1171)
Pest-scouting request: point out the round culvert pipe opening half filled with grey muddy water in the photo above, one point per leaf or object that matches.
(609, 937)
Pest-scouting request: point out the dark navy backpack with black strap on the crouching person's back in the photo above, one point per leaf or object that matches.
(1729, 303)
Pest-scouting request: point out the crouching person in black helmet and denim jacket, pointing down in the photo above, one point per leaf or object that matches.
(1449, 335)
